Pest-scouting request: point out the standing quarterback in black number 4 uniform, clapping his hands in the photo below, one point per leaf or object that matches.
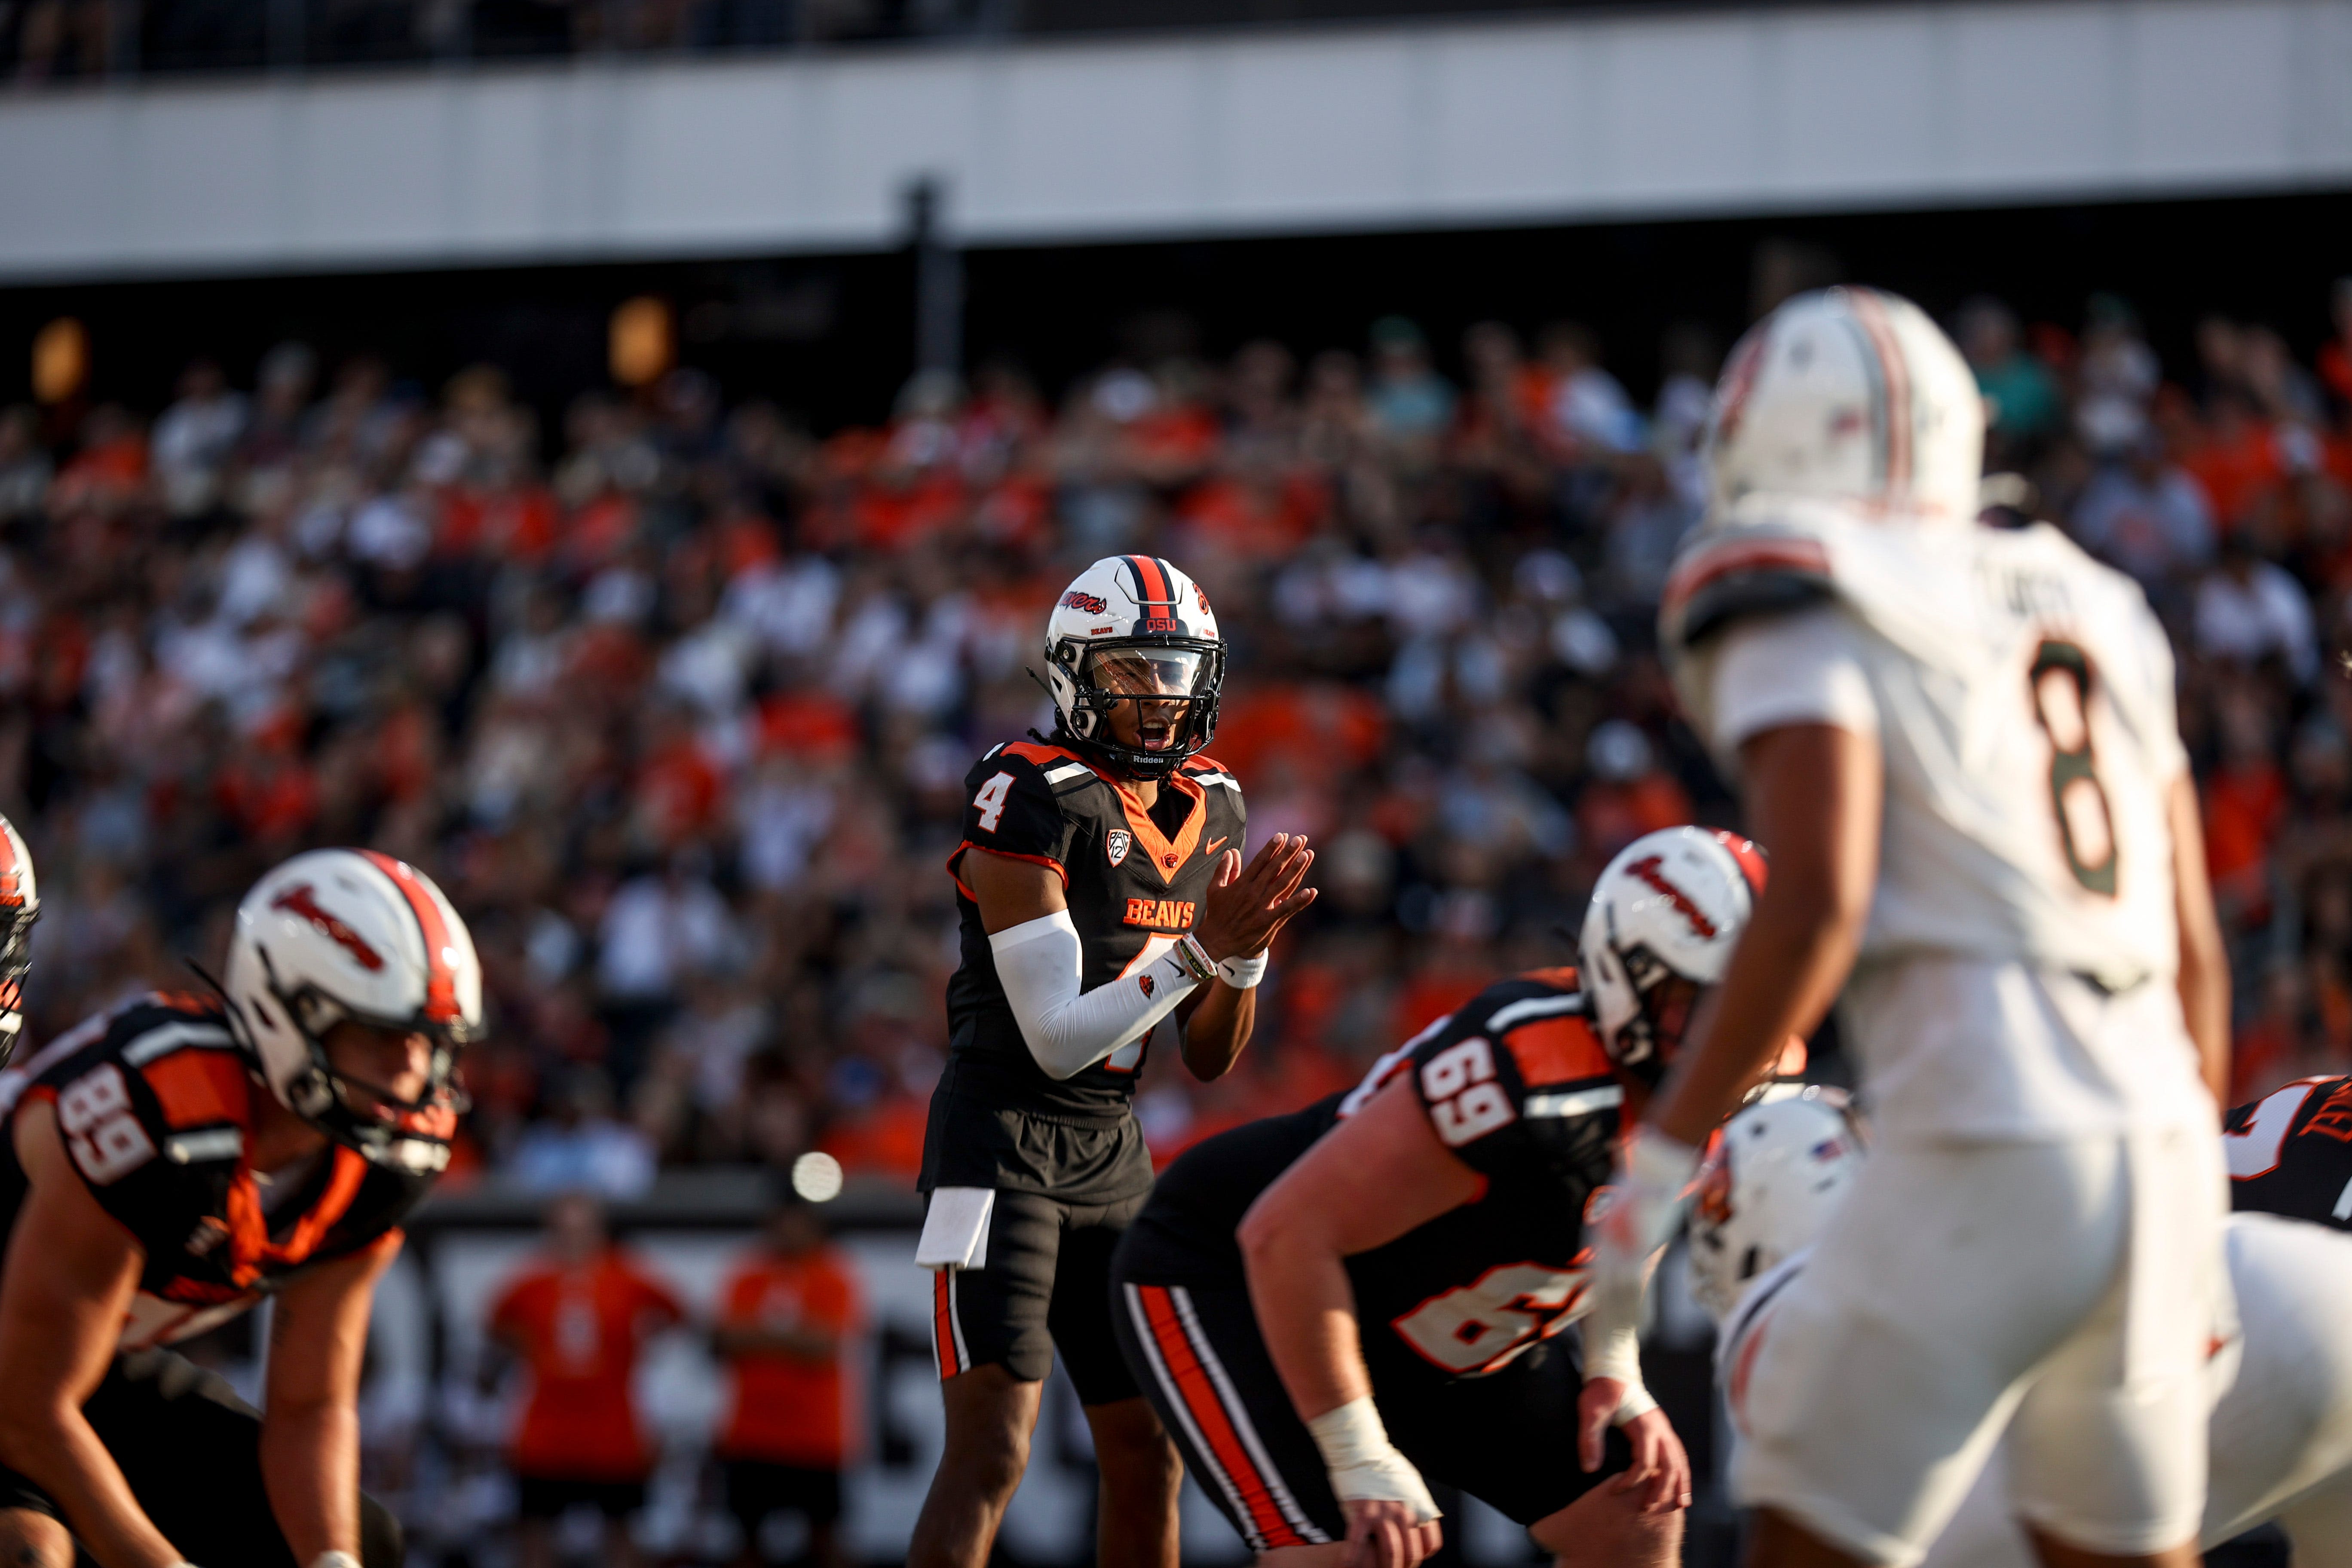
(1104, 909)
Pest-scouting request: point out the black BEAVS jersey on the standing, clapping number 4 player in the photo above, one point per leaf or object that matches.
(1135, 883)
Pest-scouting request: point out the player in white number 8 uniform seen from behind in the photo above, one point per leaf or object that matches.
(1960, 746)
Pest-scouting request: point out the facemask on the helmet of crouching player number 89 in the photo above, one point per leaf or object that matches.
(382, 1127)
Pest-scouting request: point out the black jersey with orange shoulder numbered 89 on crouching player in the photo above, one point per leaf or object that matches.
(154, 1106)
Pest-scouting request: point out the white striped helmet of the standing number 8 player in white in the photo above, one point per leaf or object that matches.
(1850, 396)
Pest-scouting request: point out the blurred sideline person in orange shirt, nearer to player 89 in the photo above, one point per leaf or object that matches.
(580, 1320)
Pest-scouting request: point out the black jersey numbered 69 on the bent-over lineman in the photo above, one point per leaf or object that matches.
(1518, 1087)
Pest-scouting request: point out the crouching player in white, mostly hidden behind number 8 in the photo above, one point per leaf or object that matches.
(2283, 1423)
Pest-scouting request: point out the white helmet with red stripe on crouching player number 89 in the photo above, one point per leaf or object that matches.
(356, 934)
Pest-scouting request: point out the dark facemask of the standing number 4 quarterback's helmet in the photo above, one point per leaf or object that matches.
(1175, 676)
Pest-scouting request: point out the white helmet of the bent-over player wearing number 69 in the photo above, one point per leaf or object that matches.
(1659, 930)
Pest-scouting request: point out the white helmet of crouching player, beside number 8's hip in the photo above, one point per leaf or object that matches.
(1768, 1188)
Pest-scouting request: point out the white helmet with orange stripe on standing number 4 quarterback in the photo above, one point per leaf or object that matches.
(1135, 626)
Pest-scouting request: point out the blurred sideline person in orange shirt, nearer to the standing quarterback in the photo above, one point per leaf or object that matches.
(784, 1329)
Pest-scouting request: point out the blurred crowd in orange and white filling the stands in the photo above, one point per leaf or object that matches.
(676, 699)
